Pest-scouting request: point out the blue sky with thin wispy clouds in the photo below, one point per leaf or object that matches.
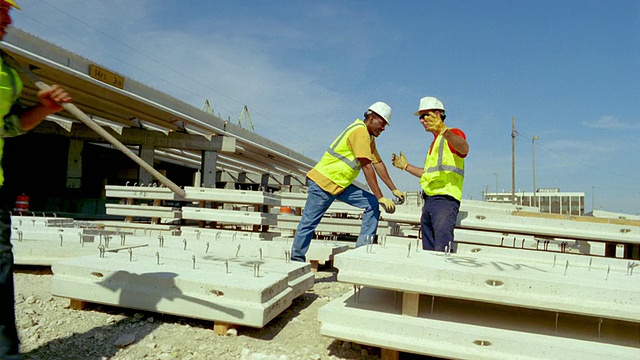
(568, 71)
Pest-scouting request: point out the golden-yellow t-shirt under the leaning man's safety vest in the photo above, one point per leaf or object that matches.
(363, 145)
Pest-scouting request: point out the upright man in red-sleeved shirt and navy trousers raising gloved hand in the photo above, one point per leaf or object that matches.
(441, 177)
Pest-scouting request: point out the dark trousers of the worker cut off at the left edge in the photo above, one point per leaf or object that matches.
(9, 342)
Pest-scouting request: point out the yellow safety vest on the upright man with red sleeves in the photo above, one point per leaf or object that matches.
(443, 171)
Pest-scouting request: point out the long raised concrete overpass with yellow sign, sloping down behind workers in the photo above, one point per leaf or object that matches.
(160, 128)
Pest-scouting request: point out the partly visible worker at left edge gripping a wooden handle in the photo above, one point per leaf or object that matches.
(16, 120)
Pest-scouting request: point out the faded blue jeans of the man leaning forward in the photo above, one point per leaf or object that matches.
(318, 201)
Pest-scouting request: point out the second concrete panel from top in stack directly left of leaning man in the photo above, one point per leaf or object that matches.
(229, 216)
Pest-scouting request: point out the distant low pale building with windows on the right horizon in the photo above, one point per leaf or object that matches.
(549, 200)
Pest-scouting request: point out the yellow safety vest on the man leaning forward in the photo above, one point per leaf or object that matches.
(339, 163)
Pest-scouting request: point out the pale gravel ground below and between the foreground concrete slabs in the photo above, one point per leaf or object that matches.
(50, 330)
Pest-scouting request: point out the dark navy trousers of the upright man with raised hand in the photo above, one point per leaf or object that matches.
(439, 215)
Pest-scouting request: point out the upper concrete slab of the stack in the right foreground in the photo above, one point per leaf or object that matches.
(556, 287)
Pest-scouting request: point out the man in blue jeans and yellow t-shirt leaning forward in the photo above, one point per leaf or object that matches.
(332, 178)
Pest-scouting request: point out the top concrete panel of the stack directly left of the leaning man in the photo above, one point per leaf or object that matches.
(231, 196)
